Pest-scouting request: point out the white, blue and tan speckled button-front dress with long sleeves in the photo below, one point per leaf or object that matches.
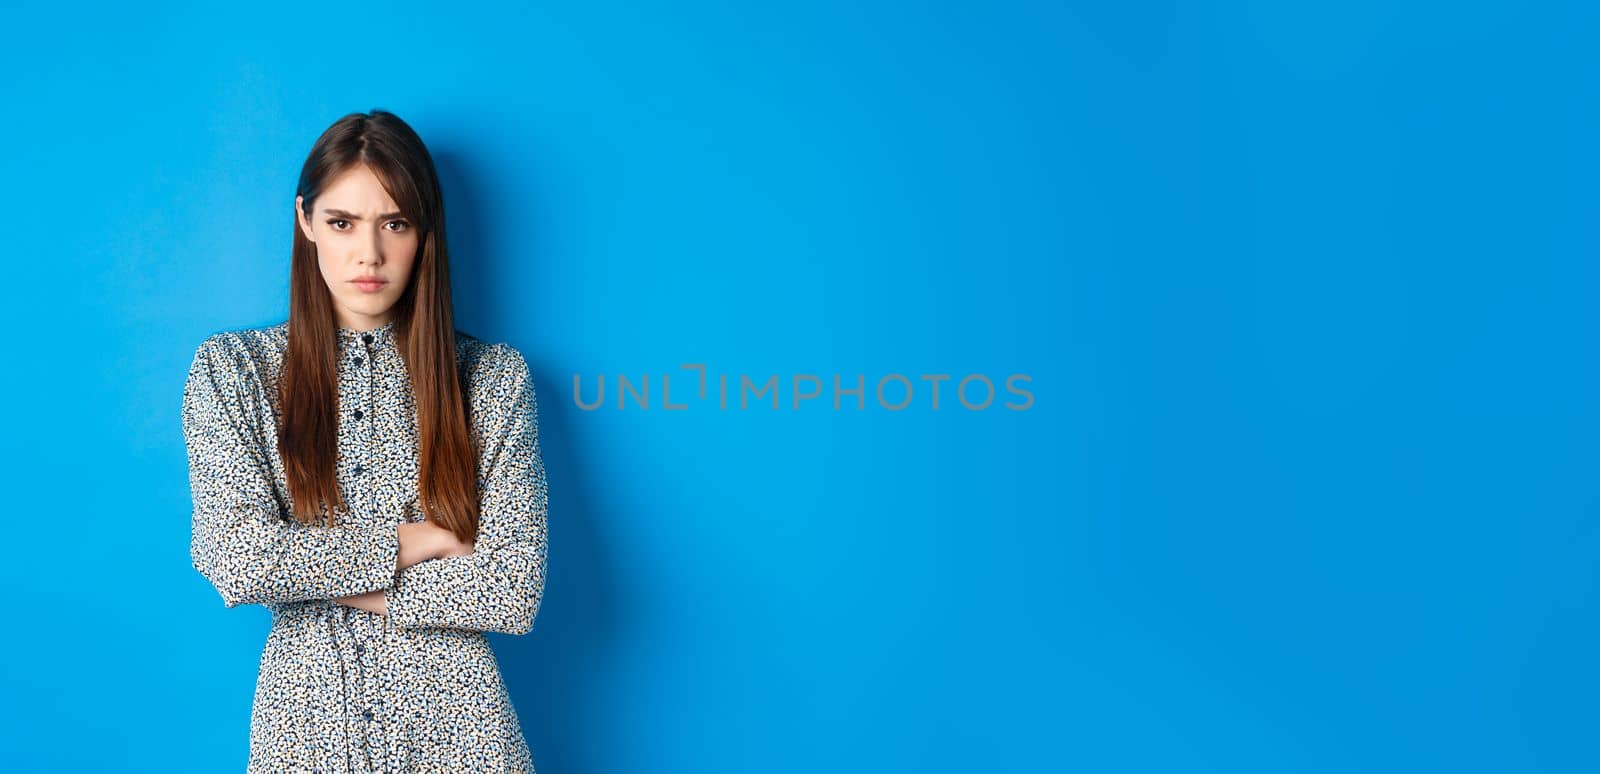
(342, 690)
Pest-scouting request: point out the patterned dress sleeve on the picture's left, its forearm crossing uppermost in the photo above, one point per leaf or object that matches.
(241, 540)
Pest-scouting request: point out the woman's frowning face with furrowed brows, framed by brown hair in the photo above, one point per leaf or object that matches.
(364, 247)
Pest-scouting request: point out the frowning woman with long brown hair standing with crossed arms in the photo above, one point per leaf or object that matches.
(374, 477)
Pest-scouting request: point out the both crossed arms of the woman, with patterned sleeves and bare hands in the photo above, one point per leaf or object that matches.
(418, 580)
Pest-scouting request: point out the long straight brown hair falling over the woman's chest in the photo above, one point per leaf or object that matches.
(425, 335)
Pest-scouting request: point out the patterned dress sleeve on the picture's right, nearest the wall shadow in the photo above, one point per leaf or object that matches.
(498, 586)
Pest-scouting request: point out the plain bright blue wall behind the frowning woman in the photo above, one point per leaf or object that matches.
(1306, 298)
